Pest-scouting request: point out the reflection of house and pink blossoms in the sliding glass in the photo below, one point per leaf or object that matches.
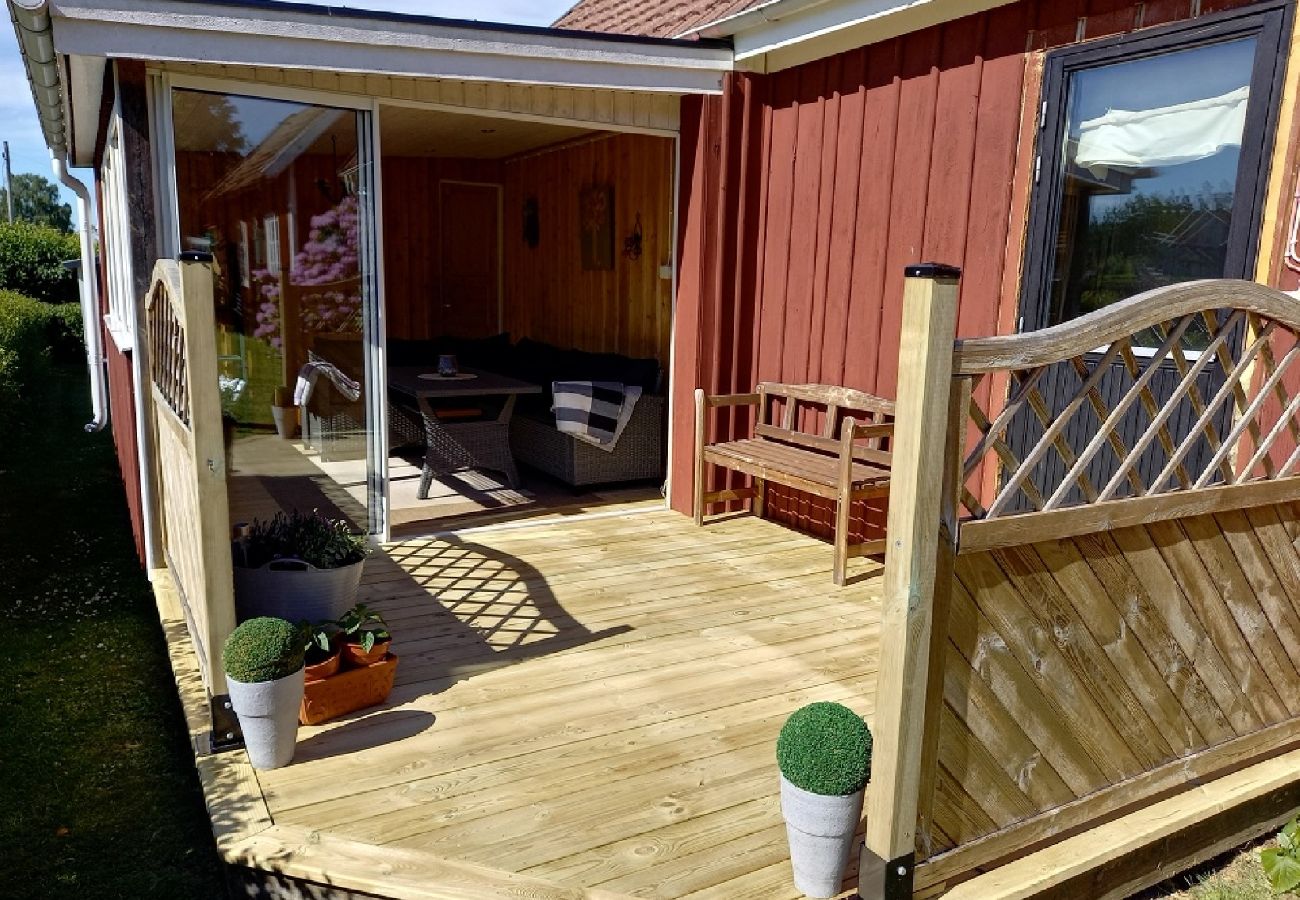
(249, 171)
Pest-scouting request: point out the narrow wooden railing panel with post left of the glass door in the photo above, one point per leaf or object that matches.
(192, 465)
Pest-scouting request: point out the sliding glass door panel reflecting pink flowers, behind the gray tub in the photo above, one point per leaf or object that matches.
(284, 197)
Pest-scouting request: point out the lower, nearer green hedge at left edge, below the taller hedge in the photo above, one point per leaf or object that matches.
(32, 335)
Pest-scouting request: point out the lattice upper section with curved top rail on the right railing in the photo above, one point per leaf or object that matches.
(1214, 403)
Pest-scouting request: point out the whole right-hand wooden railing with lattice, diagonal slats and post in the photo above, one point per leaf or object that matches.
(1099, 600)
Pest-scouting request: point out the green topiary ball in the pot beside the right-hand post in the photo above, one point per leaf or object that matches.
(826, 748)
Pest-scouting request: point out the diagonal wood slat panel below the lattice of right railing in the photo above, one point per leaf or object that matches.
(1080, 670)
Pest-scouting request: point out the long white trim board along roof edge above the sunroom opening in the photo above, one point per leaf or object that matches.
(280, 36)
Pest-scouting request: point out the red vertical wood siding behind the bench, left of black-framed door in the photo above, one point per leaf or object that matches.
(807, 193)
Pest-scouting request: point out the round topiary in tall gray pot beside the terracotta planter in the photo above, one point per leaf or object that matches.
(265, 676)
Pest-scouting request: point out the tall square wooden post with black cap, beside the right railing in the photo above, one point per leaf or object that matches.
(913, 526)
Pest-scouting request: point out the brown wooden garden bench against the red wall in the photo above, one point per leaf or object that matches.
(848, 461)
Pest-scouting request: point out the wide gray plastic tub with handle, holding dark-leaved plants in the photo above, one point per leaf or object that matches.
(294, 590)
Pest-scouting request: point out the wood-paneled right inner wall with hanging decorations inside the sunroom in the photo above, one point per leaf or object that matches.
(549, 296)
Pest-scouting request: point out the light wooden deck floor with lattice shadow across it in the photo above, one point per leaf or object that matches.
(591, 704)
